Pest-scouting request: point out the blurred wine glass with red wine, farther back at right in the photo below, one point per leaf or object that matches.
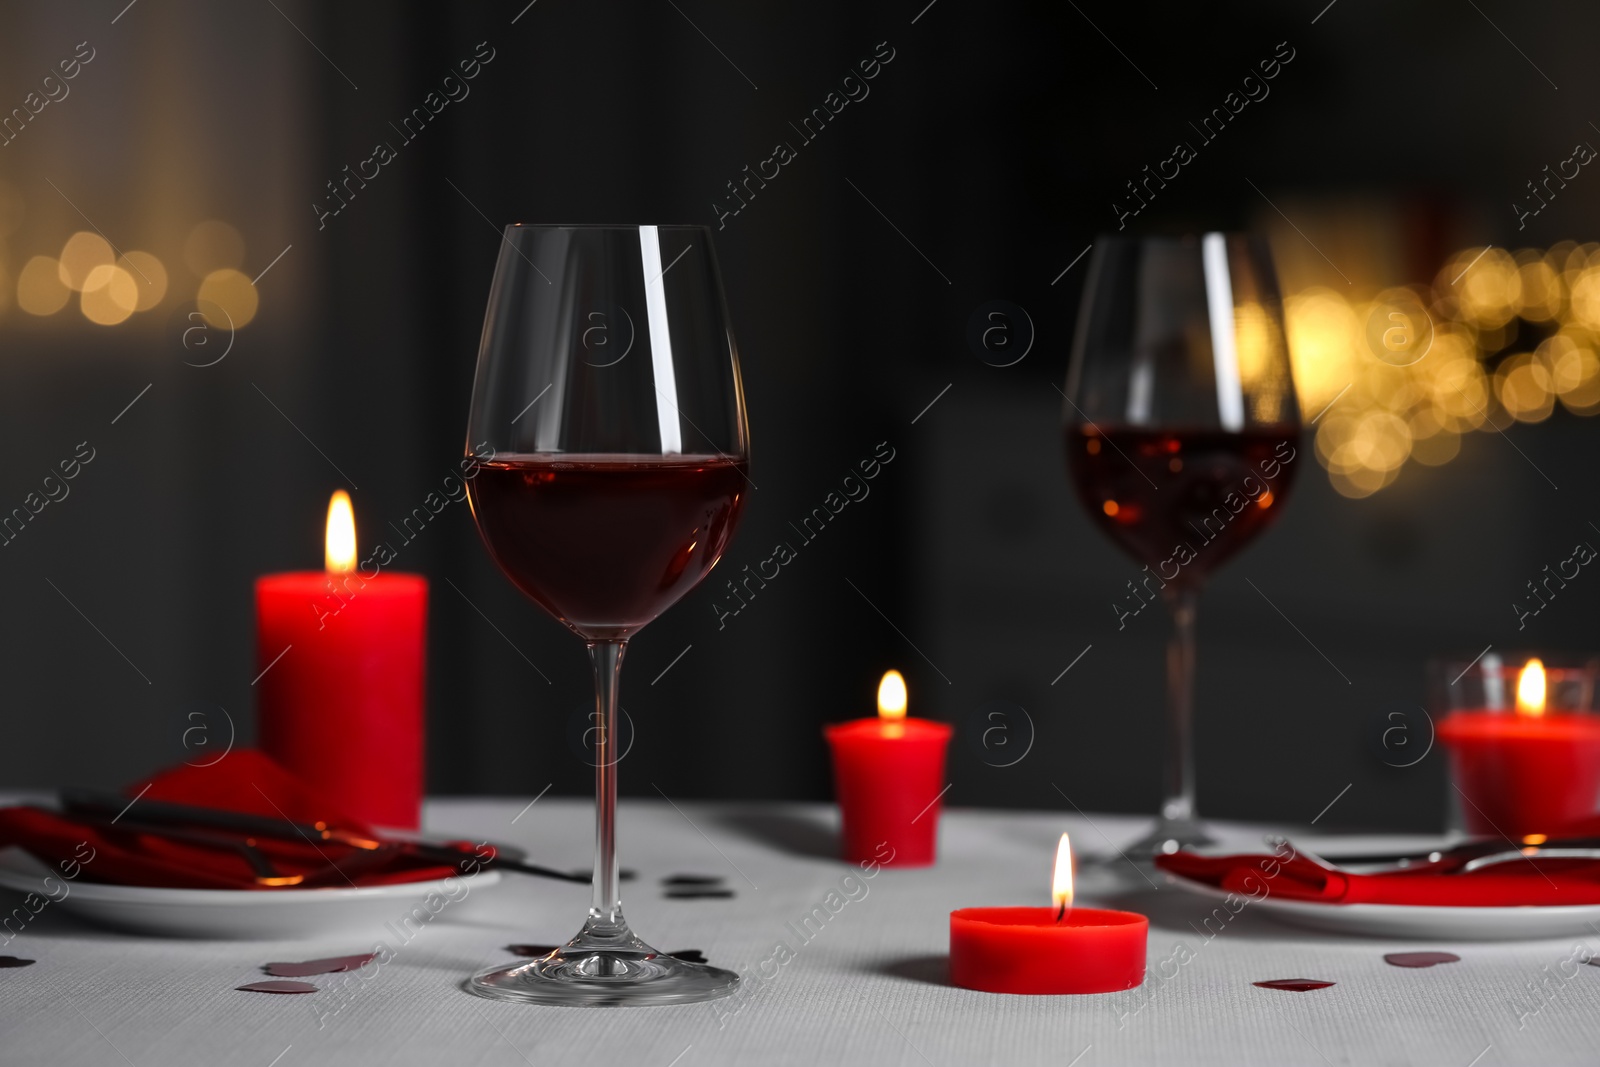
(1182, 430)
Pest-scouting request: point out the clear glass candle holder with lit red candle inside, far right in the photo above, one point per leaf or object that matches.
(1524, 740)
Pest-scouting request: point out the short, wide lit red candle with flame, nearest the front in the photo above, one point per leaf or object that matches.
(1058, 949)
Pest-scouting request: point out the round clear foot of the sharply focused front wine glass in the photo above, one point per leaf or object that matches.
(606, 978)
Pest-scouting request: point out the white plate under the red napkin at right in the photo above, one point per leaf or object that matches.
(1420, 922)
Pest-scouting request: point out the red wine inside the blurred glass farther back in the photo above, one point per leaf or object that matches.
(1183, 502)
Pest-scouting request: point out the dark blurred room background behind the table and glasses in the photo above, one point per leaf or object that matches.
(994, 143)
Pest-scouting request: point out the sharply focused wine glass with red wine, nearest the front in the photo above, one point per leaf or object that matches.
(609, 466)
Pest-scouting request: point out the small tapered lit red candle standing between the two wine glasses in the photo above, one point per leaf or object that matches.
(889, 777)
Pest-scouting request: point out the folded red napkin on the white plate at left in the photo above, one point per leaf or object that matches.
(247, 781)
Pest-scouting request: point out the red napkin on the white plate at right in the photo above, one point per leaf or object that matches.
(1537, 882)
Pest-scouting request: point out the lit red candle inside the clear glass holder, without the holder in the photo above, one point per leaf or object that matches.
(1524, 773)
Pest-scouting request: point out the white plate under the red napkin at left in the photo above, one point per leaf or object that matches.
(244, 914)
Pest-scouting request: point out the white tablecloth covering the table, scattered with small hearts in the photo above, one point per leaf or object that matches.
(868, 989)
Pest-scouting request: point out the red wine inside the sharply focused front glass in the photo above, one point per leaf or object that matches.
(607, 543)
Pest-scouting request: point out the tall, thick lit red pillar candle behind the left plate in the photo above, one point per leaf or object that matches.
(342, 655)
